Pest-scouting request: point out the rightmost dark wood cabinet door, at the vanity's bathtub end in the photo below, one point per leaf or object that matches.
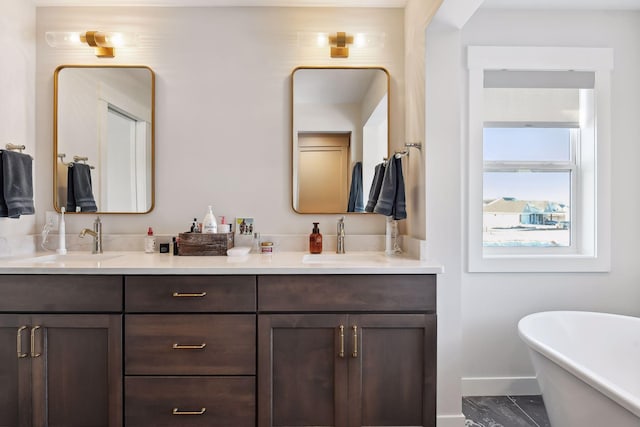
(392, 370)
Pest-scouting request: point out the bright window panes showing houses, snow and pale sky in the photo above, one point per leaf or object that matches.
(527, 185)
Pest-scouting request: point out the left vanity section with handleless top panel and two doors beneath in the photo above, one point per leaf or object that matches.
(60, 351)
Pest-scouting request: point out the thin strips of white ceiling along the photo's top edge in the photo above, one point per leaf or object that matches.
(497, 4)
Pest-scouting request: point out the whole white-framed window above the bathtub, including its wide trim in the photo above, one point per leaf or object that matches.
(538, 164)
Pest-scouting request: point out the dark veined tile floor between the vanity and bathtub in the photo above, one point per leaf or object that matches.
(504, 411)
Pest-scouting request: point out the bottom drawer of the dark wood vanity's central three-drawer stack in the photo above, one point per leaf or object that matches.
(222, 401)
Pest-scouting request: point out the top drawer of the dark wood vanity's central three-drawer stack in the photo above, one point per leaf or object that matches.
(190, 293)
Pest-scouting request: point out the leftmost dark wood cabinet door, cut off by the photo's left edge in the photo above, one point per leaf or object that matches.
(15, 371)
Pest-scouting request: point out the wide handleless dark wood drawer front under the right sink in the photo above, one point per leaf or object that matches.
(353, 293)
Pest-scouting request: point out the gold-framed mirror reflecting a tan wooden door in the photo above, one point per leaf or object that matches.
(340, 133)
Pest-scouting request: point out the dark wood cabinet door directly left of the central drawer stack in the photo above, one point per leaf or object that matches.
(77, 370)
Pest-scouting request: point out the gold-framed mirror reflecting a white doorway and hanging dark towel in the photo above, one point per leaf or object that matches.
(104, 139)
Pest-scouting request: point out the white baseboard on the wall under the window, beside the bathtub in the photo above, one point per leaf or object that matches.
(500, 386)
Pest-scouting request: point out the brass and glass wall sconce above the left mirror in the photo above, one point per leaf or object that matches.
(103, 42)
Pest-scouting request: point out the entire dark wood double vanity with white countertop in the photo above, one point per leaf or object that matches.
(154, 340)
